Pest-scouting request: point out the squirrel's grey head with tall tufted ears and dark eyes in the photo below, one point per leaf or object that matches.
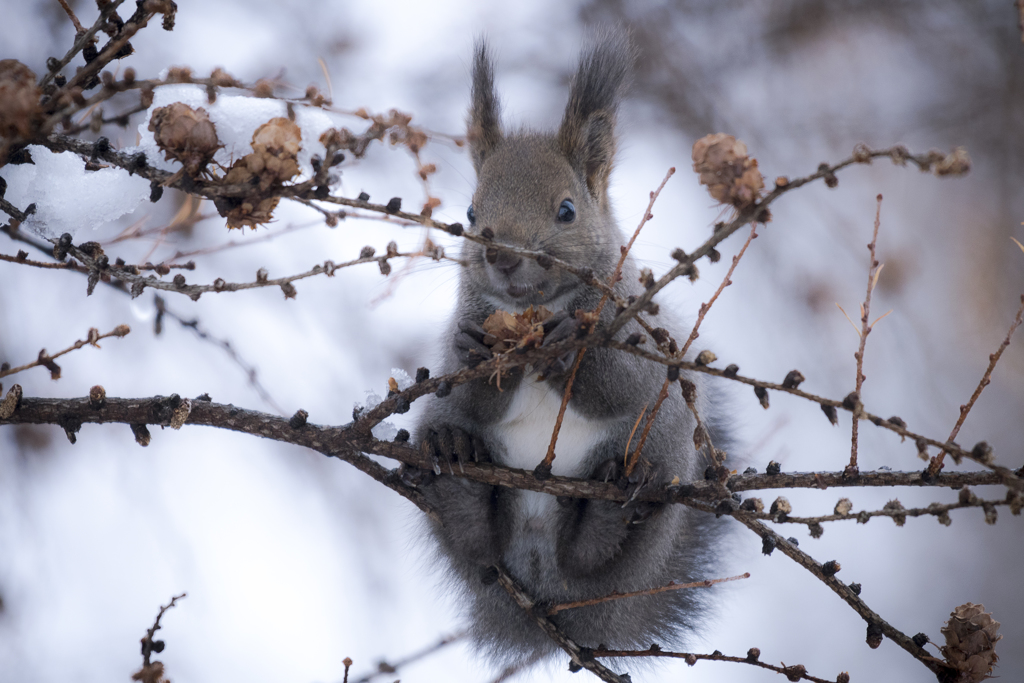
(546, 192)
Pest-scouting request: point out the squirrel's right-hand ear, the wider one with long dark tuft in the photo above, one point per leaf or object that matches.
(587, 136)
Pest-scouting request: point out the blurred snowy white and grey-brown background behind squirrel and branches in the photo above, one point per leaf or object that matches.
(293, 563)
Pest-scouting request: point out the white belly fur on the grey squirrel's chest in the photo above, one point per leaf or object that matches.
(526, 434)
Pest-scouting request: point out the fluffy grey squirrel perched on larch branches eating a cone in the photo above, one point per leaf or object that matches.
(549, 192)
